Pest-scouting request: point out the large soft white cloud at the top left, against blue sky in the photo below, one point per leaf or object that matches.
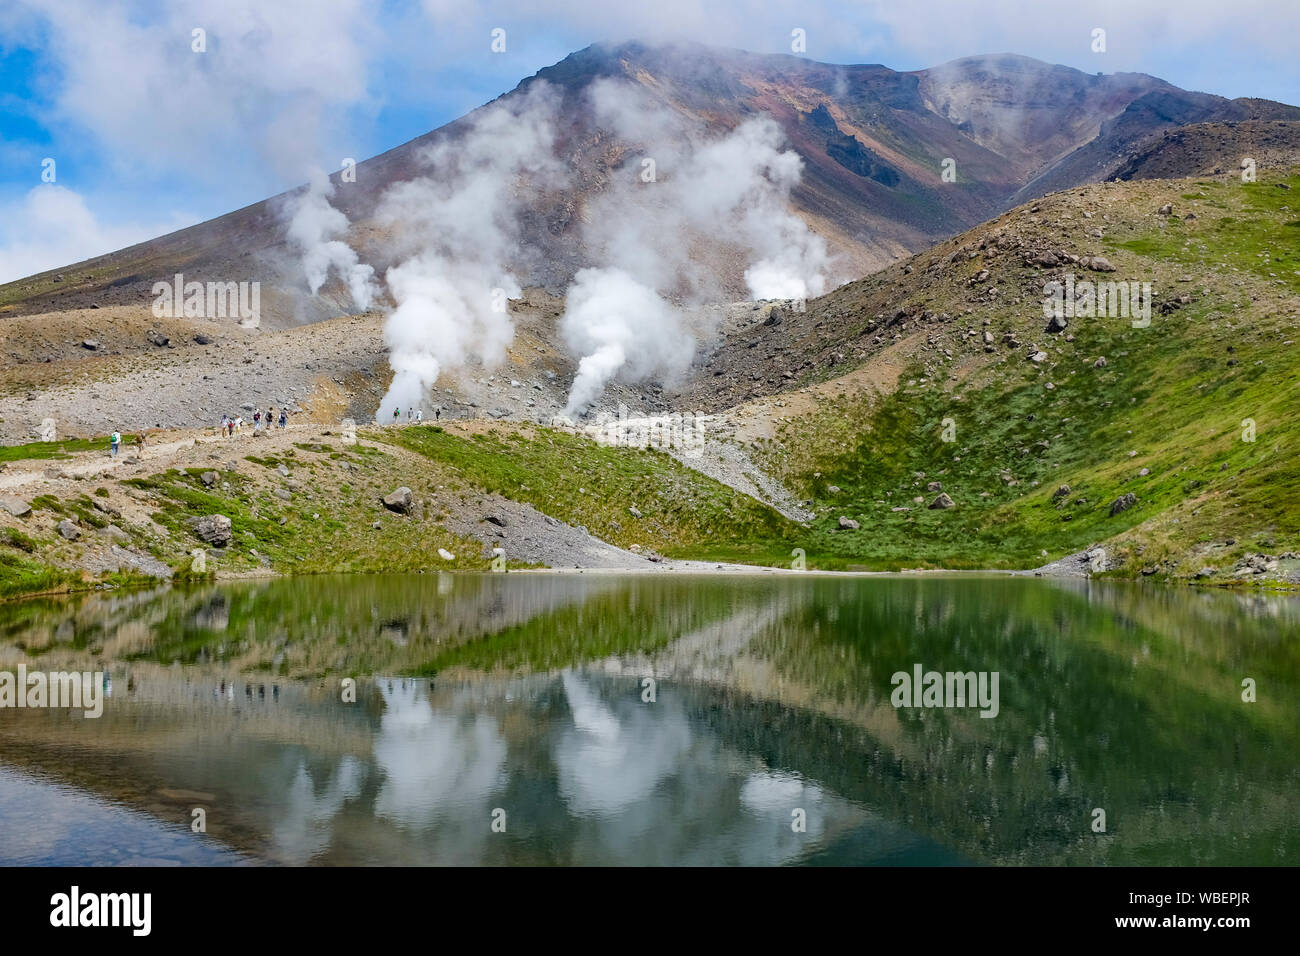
(266, 93)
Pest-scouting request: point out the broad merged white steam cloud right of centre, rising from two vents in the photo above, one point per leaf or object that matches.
(723, 196)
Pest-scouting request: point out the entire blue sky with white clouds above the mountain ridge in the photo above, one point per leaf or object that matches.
(149, 136)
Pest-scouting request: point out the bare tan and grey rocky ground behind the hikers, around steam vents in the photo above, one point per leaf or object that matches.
(96, 371)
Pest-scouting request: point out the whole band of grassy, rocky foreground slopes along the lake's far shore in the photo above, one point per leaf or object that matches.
(930, 416)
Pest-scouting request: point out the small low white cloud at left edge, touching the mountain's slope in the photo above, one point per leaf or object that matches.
(54, 227)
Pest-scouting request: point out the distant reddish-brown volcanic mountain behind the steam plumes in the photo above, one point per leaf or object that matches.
(874, 142)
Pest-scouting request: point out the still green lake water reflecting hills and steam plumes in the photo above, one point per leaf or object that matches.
(656, 720)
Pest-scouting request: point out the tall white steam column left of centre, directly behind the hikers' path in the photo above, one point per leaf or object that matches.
(461, 223)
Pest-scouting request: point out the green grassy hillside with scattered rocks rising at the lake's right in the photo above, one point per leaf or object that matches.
(1163, 418)
